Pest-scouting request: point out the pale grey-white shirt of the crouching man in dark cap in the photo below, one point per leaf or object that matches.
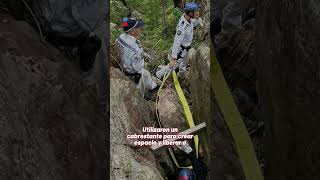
(131, 53)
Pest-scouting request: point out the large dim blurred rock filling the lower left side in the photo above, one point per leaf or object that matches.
(49, 121)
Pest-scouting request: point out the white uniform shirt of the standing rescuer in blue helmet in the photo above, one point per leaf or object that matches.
(184, 34)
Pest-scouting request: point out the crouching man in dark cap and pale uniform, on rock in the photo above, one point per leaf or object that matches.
(131, 53)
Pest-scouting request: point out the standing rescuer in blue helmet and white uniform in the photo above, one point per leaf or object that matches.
(183, 39)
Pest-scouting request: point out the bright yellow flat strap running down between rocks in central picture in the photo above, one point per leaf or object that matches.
(186, 109)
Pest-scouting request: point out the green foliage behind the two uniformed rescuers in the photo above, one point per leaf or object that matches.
(153, 36)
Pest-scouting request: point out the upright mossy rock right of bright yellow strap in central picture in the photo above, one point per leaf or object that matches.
(200, 92)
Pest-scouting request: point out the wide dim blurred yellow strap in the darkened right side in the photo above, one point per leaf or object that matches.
(234, 121)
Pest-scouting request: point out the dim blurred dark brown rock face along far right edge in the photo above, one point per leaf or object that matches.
(287, 49)
